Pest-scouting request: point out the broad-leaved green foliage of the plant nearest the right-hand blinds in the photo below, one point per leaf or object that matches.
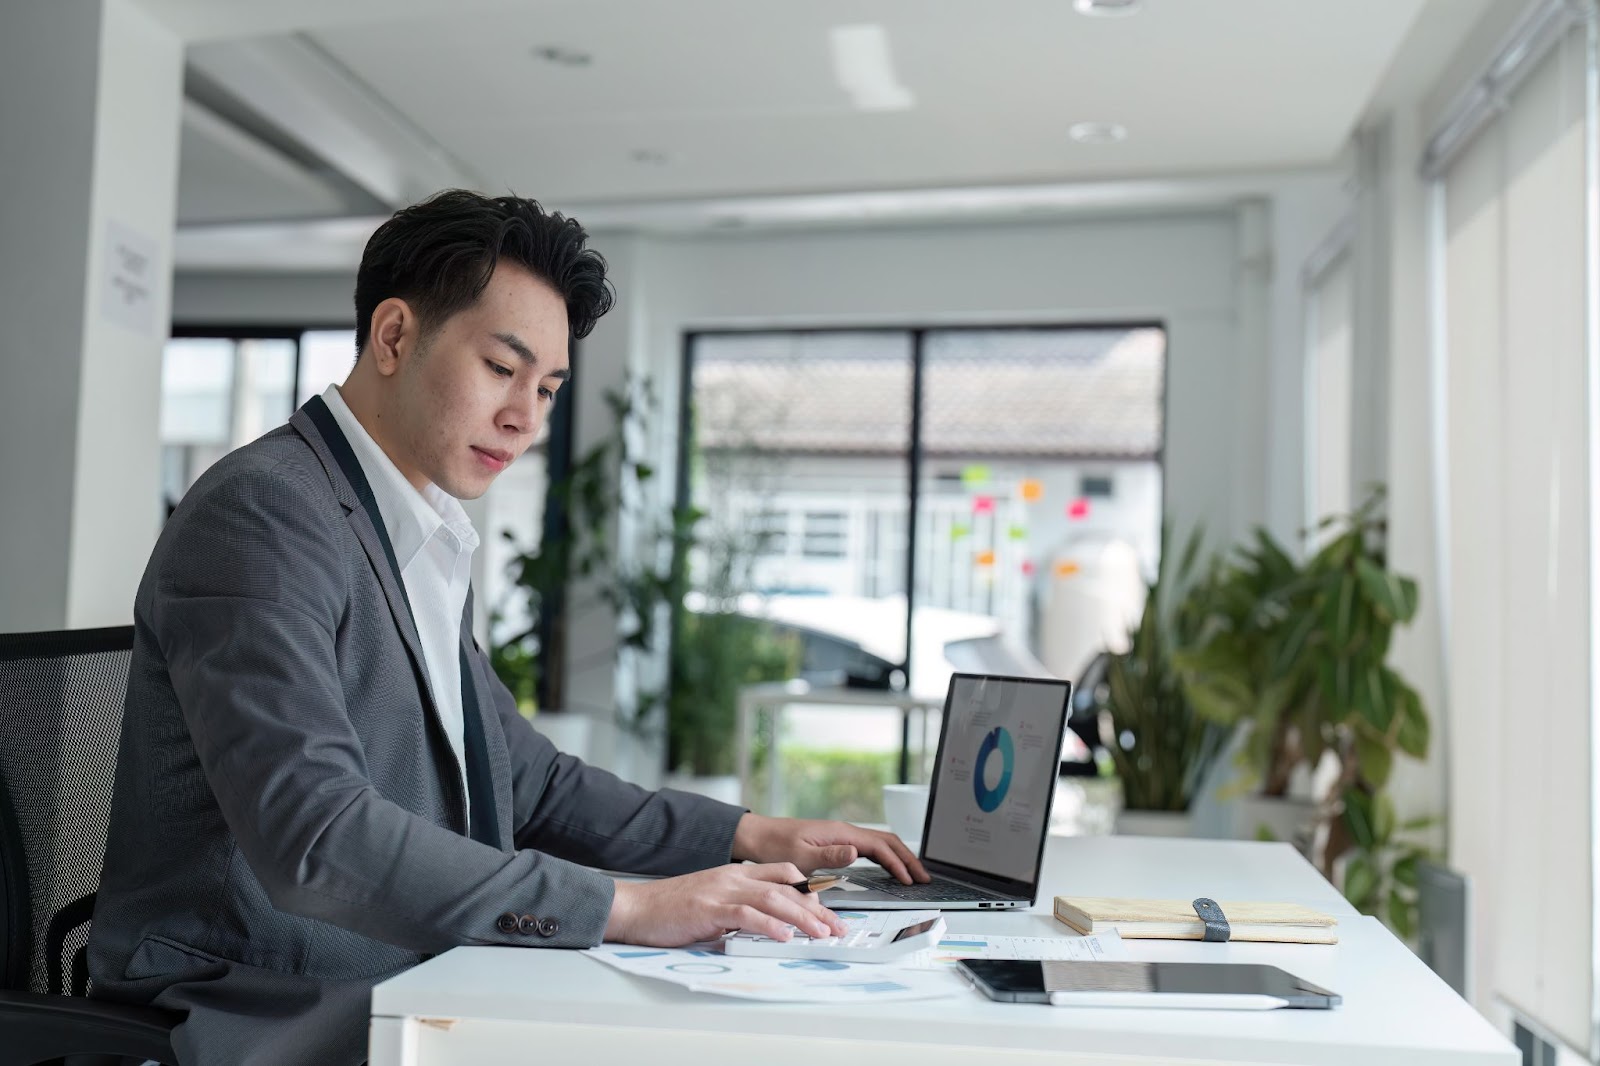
(1298, 655)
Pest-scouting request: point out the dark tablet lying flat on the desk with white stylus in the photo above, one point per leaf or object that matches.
(1182, 985)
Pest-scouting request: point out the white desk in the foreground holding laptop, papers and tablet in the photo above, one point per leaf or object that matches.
(487, 1006)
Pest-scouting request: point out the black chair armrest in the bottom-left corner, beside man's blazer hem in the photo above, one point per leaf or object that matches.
(52, 1027)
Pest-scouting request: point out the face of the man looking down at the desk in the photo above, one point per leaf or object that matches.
(476, 393)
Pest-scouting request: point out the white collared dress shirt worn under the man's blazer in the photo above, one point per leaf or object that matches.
(434, 542)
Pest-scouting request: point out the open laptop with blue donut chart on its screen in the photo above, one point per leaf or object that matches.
(994, 782)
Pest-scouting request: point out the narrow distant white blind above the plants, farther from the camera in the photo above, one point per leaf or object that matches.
(1329, 374)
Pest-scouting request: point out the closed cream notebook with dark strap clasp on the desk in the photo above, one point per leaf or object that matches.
(1177, 920)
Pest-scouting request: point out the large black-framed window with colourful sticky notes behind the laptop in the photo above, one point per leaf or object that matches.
(1034, 451)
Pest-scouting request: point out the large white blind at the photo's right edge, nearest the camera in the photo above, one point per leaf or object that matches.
(1519, 548)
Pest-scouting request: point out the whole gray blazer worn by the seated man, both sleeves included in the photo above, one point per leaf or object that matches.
(289, 825)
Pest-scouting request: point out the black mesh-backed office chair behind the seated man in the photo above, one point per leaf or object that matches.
(62, 699)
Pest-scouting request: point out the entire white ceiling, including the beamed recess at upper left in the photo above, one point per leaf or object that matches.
(380, 100)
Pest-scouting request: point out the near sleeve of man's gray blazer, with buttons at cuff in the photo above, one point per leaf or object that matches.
(246, 614)
